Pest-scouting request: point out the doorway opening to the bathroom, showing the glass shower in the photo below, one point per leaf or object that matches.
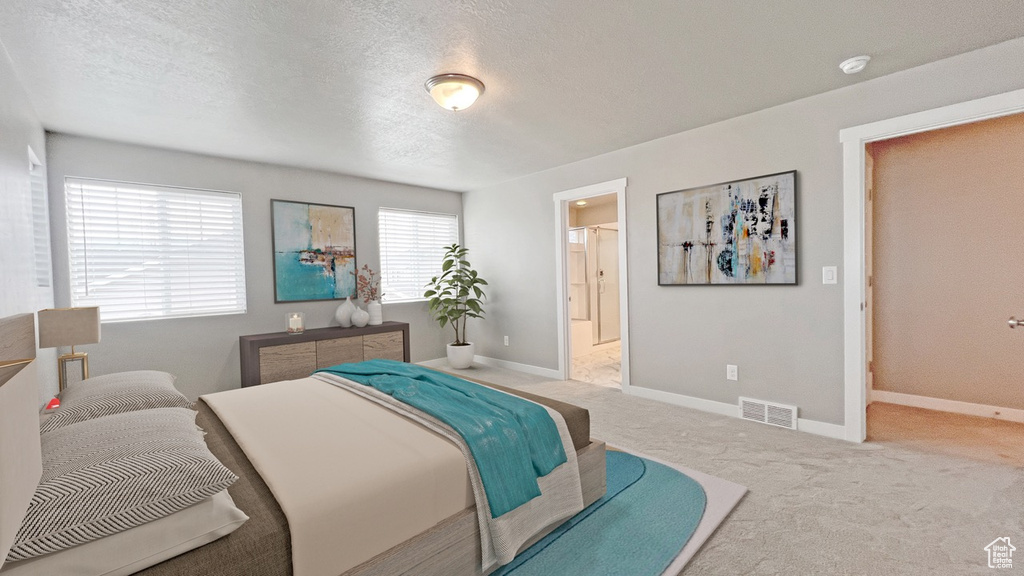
(592, 284)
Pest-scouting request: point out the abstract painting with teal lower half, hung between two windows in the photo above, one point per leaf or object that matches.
(314, 252)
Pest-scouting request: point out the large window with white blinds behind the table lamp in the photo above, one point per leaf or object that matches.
(143, 252)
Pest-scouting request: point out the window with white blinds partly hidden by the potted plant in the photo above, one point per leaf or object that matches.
(412, 248)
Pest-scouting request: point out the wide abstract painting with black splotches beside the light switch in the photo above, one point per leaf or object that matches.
(744, 232)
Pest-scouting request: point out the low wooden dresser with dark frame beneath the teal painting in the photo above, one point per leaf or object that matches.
(280, 356)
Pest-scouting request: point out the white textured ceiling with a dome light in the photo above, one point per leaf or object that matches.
(338, 86)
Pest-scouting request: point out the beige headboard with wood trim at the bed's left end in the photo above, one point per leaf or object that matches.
(21, 462)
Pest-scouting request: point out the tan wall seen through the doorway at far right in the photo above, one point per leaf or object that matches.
(950, 263)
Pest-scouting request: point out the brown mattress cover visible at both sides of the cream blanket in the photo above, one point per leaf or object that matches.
(263, 546)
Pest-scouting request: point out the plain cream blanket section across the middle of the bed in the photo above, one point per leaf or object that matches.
(354, 479)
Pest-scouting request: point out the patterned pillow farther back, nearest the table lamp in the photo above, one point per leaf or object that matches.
(114, 394)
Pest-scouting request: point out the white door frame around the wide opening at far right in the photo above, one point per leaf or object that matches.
(855, 319)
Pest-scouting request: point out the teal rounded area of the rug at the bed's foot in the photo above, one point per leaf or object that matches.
(637, 528)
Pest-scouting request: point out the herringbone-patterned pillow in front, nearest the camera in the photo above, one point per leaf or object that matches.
(107, 475)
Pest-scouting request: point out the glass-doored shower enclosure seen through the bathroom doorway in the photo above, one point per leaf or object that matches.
(594, 285)
